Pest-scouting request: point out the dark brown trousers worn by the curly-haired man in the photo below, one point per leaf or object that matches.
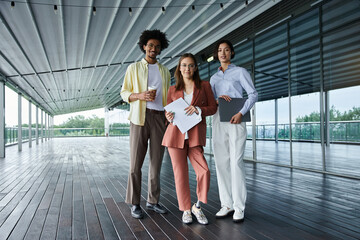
(153, 129)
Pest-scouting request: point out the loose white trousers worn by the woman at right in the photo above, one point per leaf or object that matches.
(229, 146)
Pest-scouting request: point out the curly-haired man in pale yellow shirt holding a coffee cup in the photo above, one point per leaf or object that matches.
(145, 88)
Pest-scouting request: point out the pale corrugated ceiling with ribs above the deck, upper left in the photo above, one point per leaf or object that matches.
(71, 59)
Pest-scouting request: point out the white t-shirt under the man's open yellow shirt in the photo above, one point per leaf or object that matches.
(154, 80)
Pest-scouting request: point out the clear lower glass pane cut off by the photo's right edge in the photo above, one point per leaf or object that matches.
(344, 127)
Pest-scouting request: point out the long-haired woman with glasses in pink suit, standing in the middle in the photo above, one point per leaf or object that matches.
(201, 101)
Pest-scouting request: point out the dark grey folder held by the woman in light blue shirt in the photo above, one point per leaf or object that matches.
(229, 109)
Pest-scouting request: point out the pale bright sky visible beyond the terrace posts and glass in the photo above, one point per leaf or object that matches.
(343, 100)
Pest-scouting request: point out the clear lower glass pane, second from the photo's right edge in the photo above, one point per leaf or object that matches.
(306, 146)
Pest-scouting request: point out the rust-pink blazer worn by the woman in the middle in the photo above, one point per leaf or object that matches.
(202, 98)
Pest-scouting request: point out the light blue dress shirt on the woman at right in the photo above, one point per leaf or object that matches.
(232, 82)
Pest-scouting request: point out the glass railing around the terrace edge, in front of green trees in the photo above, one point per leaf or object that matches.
(340, 131)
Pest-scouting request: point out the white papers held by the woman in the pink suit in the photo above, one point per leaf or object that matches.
(181, 120)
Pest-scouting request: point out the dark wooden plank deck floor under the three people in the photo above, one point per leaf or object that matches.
(75, 188)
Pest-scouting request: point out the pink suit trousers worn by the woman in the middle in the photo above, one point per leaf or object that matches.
(181, 174)
